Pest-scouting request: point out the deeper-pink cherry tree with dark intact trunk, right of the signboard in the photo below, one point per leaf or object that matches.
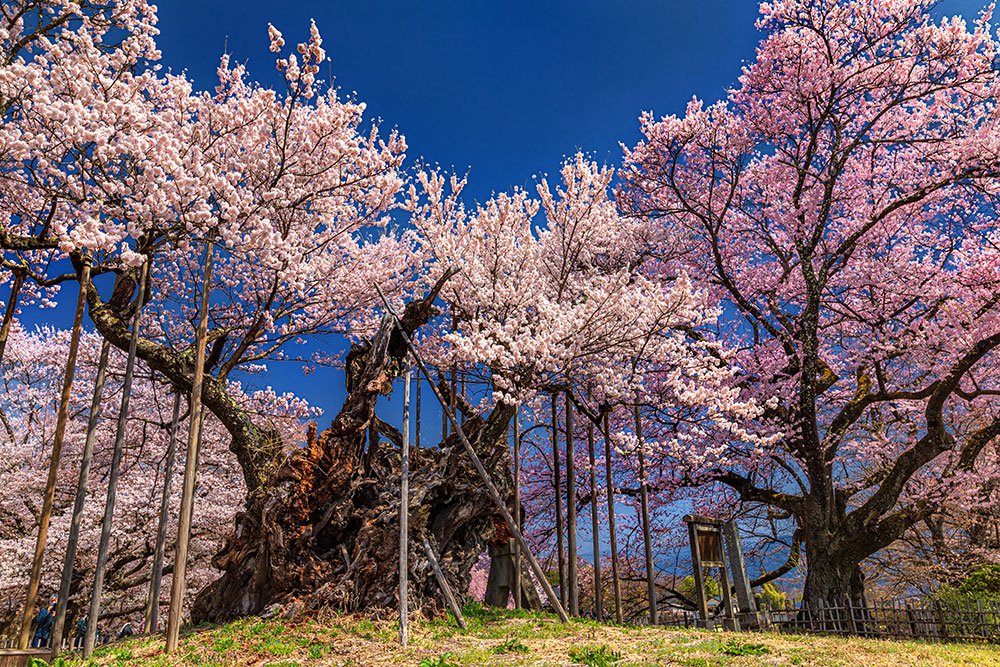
(840, 206)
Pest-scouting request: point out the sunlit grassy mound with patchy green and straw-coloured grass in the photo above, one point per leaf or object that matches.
(516, 638)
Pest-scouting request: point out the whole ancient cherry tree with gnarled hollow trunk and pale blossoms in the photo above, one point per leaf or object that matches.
(114, 162)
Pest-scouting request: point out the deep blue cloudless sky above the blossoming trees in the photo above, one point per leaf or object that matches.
(502, 89)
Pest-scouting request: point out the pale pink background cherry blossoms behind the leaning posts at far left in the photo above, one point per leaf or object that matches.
(32, 373)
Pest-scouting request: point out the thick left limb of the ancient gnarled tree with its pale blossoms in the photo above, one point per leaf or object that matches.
(106, 159)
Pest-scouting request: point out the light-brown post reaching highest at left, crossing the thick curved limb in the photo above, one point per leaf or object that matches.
(190, 465)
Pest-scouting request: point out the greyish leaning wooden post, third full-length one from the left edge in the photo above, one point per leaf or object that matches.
(116, 459)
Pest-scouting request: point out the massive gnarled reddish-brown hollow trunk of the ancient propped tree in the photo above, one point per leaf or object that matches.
(323, 531)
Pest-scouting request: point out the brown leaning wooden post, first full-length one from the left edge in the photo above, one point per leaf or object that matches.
(57, 440)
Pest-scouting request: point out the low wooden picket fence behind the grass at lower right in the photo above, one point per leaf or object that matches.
(930, 620)
